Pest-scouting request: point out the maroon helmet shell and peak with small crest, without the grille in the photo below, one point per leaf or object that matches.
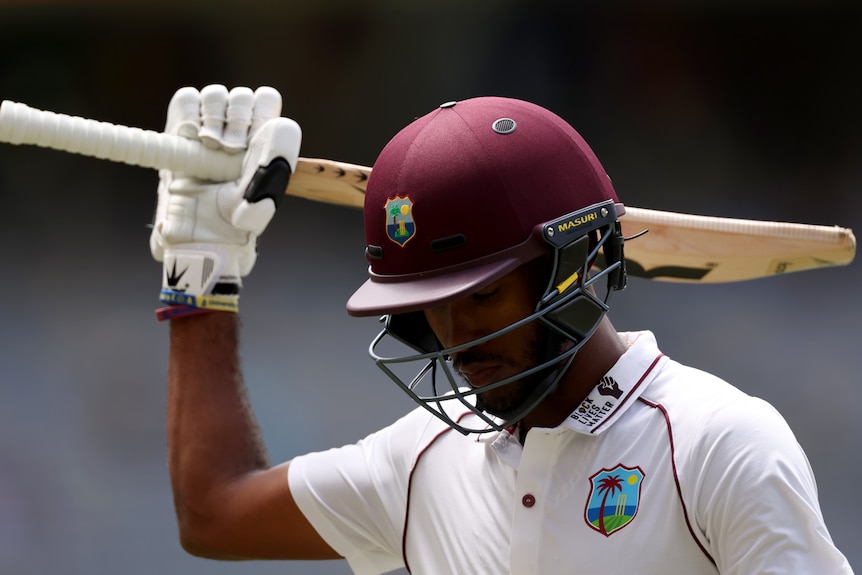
(457, 199)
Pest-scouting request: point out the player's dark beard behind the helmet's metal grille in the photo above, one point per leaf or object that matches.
(512, 401)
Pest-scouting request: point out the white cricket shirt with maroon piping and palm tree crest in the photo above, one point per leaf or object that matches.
(661, 469)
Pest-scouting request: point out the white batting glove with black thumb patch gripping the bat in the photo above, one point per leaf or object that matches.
(205, 232)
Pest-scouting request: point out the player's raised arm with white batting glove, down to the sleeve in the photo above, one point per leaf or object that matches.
(229, 502)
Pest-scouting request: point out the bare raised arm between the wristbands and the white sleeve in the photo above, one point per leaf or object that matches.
(230, 503)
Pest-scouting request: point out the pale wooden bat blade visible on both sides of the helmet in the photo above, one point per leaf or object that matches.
(677, 247)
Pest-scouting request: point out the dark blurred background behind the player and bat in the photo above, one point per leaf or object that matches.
(740, 108)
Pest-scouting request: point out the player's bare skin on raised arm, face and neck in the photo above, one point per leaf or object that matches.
(232, 504)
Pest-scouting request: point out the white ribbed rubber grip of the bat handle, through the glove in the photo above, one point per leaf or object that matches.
(21, 124)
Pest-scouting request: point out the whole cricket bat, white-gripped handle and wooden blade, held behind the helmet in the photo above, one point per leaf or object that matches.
(677, 247)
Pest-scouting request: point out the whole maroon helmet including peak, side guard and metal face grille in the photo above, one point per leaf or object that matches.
(458, 199)
